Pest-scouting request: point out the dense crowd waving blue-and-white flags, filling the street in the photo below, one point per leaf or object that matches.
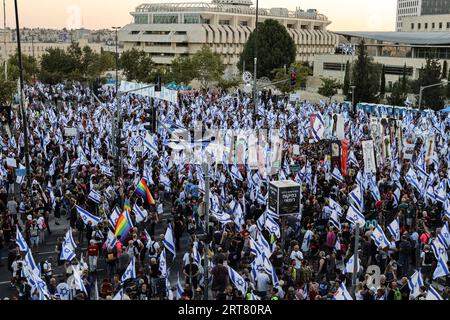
(384, 176)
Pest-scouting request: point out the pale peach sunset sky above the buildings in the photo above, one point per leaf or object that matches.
(346, 15)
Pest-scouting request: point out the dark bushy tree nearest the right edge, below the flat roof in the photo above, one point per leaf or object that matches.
(432, 98)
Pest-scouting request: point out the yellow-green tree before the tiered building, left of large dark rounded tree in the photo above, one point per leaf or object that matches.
(208, 66)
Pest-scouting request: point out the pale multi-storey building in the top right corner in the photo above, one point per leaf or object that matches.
(417, 8)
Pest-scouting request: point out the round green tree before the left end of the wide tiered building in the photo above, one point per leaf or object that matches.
(137, 65)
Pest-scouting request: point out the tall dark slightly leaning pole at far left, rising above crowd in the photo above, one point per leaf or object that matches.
(22, 108)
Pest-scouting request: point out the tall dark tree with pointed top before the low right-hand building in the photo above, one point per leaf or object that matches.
(365, 76)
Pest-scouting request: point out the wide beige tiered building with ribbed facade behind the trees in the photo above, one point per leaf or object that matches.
(169, 30)
